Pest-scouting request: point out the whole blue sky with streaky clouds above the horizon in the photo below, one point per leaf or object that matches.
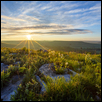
(51, 20)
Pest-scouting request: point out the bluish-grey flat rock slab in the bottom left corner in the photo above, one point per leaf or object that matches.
(8, 90)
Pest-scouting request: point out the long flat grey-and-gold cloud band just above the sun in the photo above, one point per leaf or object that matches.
(52, 29)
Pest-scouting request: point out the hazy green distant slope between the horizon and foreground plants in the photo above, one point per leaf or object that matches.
(58, 45)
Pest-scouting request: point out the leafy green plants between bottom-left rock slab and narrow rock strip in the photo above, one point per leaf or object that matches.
(27, 92)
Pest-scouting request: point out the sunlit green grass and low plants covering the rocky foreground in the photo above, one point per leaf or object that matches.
(82, 87)
